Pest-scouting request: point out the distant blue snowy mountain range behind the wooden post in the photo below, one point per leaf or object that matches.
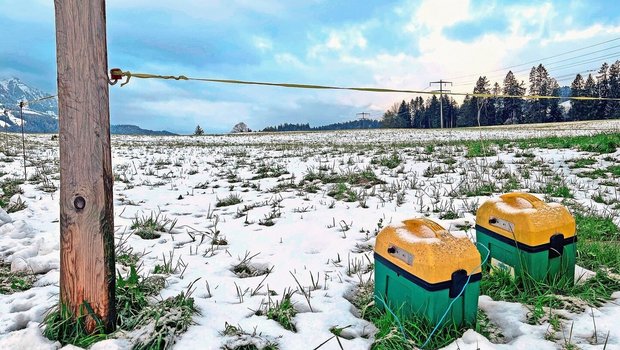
(42, 117)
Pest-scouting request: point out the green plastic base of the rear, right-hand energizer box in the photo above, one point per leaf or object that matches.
(538, 265)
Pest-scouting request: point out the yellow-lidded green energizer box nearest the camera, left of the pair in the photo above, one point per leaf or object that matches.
(420, 268)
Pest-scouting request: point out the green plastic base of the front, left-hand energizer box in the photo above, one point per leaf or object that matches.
(407, 298)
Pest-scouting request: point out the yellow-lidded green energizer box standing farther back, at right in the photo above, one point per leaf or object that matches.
(528, 236)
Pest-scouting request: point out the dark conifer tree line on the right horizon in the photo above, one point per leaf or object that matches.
(420, 113)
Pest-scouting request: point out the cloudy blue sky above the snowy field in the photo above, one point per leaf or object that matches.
(401, 44)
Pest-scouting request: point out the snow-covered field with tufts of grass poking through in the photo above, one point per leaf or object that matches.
(293, 229)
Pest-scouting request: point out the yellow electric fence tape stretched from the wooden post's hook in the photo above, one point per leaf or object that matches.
(129, 75)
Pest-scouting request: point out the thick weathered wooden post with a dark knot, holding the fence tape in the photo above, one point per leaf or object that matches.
(86, 207)
